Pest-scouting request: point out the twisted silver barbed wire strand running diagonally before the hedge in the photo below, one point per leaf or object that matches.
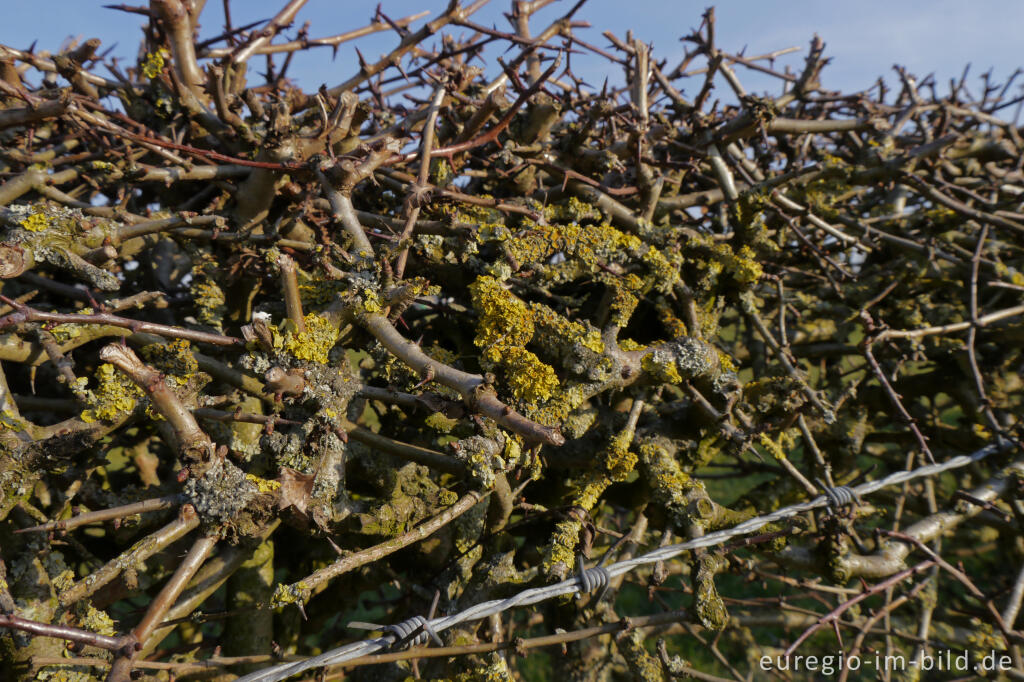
(585, 581)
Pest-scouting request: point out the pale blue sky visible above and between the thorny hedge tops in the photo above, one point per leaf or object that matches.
(865, 38)
